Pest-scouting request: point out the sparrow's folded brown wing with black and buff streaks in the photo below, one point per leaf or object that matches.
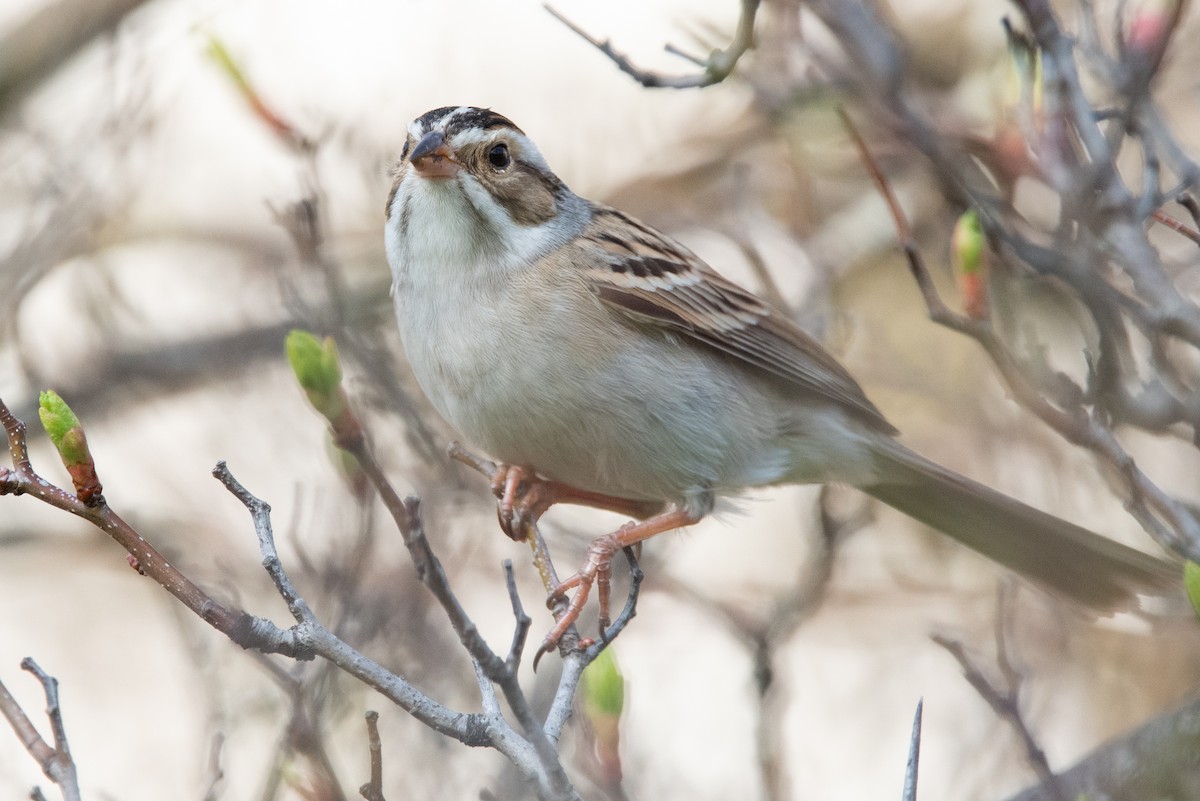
(656, 281)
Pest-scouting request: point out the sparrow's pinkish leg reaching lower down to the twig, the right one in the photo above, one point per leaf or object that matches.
(598, 568)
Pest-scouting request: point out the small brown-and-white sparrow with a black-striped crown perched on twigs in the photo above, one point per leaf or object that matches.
(604, 364)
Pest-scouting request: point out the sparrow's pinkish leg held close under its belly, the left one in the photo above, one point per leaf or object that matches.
(525, 497)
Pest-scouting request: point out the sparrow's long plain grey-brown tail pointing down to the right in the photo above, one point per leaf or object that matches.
(1071, 561)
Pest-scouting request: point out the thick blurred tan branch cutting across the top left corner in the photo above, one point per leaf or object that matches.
(37, 49)
